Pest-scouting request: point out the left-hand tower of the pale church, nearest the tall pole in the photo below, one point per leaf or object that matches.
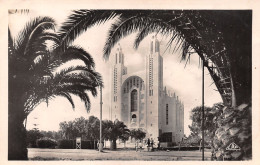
(118, 69)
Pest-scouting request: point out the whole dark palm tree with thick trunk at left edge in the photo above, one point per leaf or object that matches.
(35, 75)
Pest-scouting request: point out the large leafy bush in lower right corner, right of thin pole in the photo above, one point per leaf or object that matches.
(235, 126)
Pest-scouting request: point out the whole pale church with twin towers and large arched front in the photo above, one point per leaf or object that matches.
(141, 101)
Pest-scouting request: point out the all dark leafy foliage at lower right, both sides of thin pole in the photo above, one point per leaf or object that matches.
(223, 126)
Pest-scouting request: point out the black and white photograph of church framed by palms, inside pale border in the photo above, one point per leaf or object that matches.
(127, 84)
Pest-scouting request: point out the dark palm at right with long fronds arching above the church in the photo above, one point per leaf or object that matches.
(224, 45)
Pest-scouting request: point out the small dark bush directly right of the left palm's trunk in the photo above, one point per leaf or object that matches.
(32, 136)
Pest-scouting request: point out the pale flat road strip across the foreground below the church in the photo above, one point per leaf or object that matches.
(86, 154)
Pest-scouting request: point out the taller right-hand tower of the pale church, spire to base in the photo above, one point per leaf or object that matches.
(154, 92)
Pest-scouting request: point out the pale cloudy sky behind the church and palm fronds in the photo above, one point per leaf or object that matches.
(184, 81)
